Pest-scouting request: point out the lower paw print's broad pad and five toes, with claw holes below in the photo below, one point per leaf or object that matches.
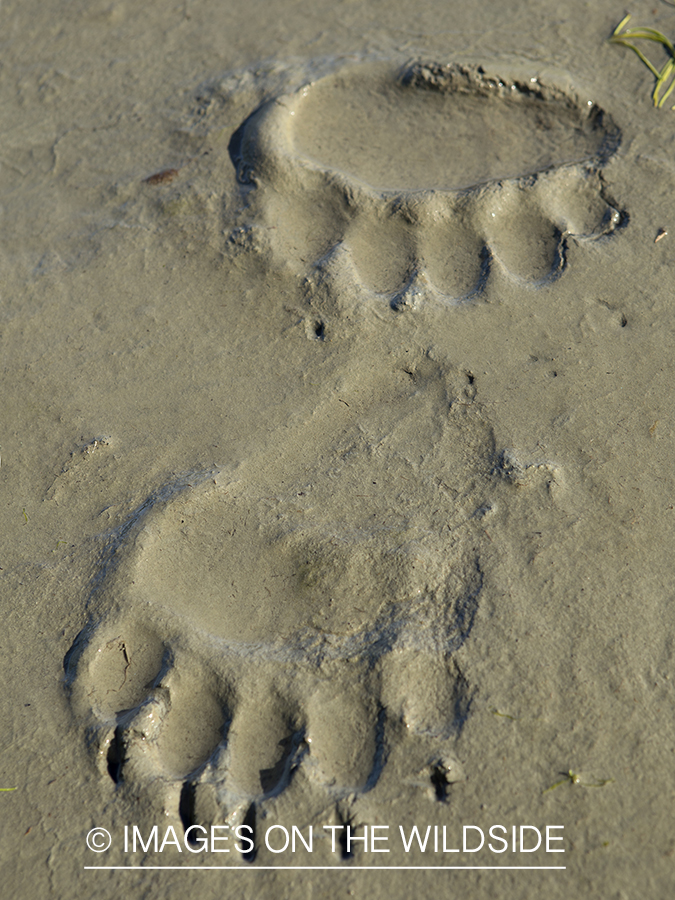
(250, 648)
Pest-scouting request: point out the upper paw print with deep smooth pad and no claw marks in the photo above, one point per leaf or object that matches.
(425, 184)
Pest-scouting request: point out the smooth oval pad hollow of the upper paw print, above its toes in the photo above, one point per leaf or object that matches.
(395, 134)
